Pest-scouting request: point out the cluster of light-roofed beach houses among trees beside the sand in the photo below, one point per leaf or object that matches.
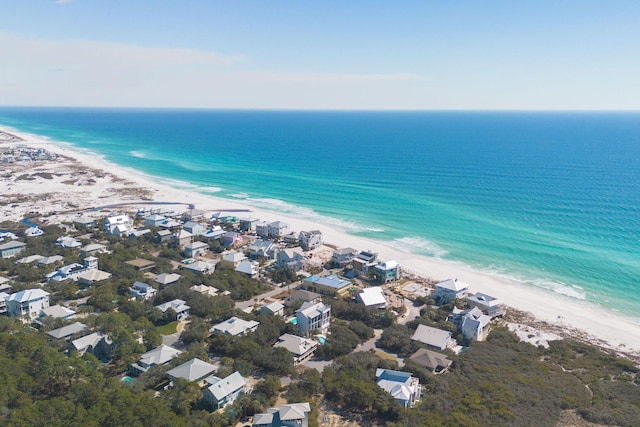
(254, 322)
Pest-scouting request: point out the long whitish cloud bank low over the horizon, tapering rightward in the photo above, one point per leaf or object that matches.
(89, 73)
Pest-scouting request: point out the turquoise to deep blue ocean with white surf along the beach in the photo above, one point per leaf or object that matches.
(551, 199)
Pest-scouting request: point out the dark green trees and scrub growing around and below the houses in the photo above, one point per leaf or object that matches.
(501, 381)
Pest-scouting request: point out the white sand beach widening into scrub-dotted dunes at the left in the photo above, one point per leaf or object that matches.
(56, 191)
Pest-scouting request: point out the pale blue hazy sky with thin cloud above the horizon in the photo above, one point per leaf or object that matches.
(298, 54)
